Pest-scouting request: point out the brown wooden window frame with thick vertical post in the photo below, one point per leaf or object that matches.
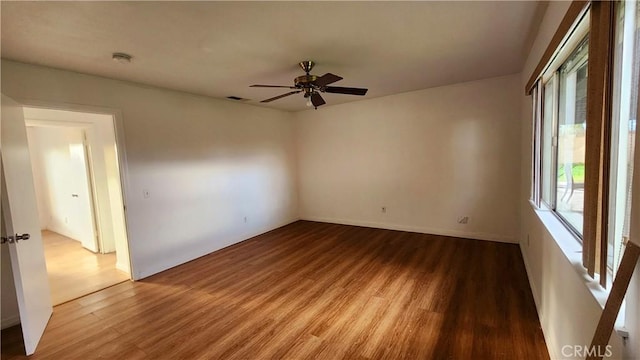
(599, 18)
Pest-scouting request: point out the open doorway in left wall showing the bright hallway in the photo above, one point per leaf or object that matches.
(79, 197)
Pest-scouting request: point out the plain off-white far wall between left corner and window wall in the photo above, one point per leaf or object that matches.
(428, 156)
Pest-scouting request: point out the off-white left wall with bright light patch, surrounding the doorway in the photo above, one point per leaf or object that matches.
(206, 163)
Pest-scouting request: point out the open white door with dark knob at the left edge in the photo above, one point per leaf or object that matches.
(20, 216)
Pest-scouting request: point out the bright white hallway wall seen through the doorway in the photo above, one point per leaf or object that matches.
(59, 170)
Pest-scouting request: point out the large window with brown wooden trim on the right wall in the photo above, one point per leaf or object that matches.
(585, 118)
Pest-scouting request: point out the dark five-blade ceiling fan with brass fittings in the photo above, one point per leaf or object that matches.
(313, 85)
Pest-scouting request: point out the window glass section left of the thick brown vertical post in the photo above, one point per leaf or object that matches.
(562, 145)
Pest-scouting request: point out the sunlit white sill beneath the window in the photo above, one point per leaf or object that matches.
(572, 250)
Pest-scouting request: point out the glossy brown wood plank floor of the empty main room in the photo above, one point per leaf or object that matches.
(312, 290)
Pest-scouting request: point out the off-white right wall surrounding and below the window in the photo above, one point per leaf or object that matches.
(567, 309)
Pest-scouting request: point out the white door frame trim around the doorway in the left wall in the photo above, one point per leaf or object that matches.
(118, 124)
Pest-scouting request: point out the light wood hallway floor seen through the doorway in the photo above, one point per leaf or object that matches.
(75, 271)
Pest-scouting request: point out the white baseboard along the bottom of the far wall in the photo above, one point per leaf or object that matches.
(418, 229)
